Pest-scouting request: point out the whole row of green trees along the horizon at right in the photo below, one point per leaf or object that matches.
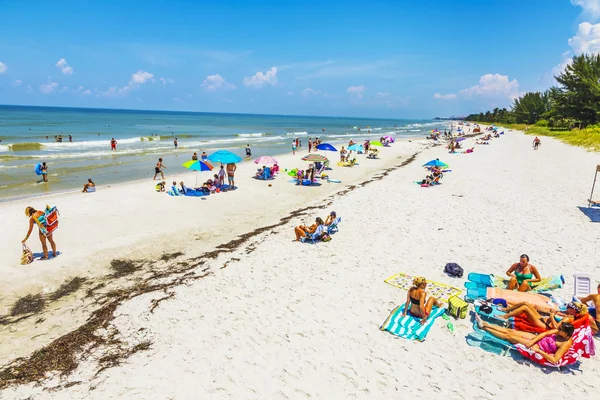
(573, 102)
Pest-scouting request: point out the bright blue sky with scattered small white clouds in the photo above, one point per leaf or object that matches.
(397, 59)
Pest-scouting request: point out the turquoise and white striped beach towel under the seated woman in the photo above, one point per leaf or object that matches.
(408, 327)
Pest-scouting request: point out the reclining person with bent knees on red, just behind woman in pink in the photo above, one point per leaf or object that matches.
(539, 323)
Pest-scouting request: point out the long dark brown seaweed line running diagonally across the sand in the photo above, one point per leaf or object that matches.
(62, 356)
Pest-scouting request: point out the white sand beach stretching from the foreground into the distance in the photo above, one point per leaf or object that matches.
(272, 318)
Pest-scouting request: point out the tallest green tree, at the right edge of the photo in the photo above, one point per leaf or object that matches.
(577, 96)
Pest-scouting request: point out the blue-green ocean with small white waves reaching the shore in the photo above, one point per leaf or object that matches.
(27, 137)
